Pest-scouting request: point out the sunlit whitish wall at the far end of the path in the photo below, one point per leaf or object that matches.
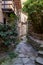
(23, 28)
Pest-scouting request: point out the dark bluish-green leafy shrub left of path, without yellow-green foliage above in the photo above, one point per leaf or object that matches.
(8, 36)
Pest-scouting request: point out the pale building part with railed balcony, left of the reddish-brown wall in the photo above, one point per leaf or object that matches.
(6, 7)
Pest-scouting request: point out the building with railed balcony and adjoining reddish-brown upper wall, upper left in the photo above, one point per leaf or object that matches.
(7, 7)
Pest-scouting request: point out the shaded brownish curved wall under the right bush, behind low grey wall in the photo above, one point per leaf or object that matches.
(33, 34)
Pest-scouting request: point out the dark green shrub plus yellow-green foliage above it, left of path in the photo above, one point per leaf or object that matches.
(8, 32)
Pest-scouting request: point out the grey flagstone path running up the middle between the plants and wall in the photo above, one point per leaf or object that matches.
(26, 55)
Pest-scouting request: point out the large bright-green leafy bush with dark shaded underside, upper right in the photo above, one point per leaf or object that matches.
(34, 8)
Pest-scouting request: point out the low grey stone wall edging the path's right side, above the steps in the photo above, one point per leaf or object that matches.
(34, 42)
